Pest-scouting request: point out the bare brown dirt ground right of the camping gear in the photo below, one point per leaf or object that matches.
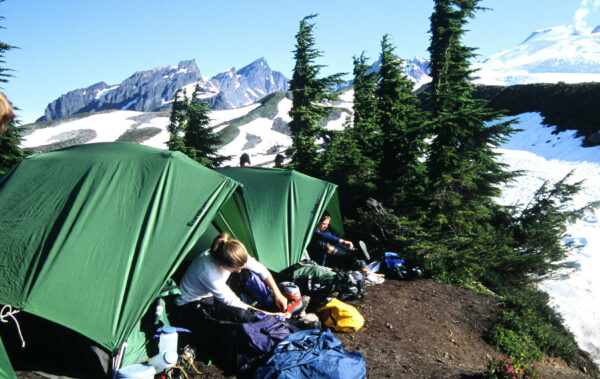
(421, 329)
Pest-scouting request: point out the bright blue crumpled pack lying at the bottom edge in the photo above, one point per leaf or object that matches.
(312, 354)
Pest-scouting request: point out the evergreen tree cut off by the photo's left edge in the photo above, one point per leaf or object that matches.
(10, 153)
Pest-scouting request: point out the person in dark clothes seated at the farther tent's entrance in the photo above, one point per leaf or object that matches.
(332, 251)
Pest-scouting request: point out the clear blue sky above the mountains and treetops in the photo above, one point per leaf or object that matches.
(70, 44)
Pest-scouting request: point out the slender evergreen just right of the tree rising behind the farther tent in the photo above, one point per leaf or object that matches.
(364, 128)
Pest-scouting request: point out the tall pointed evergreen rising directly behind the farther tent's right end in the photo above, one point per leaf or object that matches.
(309, 92)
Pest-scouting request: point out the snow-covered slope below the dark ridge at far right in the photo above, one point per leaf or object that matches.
(545, 156)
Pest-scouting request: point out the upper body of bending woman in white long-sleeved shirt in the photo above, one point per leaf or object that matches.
(207, 275)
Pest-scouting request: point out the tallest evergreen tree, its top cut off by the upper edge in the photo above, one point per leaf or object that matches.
(463, 175)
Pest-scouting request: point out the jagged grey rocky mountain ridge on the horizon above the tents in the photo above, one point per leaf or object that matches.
(152, 90)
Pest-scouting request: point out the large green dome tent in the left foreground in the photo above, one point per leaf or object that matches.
(90, 234)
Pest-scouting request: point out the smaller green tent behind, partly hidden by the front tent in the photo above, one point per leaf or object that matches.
(284, 207)
